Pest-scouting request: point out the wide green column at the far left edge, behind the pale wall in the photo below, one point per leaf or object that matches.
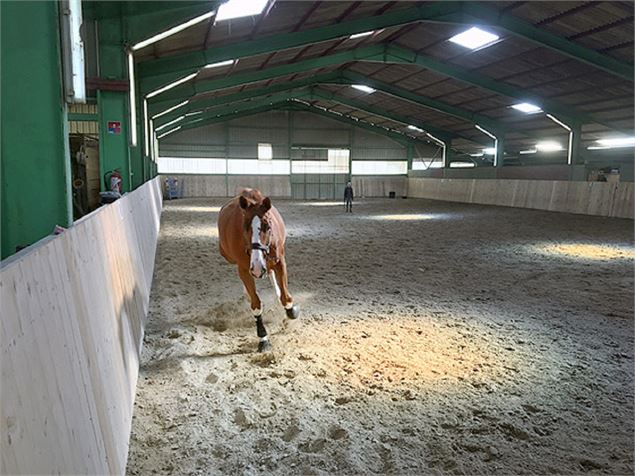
(35, 164)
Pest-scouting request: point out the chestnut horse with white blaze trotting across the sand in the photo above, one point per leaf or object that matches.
(252, 235)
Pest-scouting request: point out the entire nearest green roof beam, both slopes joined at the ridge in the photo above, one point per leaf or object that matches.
(447, 12)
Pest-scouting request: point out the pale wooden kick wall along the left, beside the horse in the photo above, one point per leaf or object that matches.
(73, 312)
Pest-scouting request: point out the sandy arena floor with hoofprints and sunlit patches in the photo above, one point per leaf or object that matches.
(434, 338)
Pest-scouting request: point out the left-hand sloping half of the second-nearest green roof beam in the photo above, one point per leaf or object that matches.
(190, 88)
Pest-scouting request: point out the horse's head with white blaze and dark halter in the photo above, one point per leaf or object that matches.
(257, 233)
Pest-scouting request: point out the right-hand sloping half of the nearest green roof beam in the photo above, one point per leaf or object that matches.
(478, 12)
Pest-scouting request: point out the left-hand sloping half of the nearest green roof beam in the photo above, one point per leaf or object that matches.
(188, 62)
